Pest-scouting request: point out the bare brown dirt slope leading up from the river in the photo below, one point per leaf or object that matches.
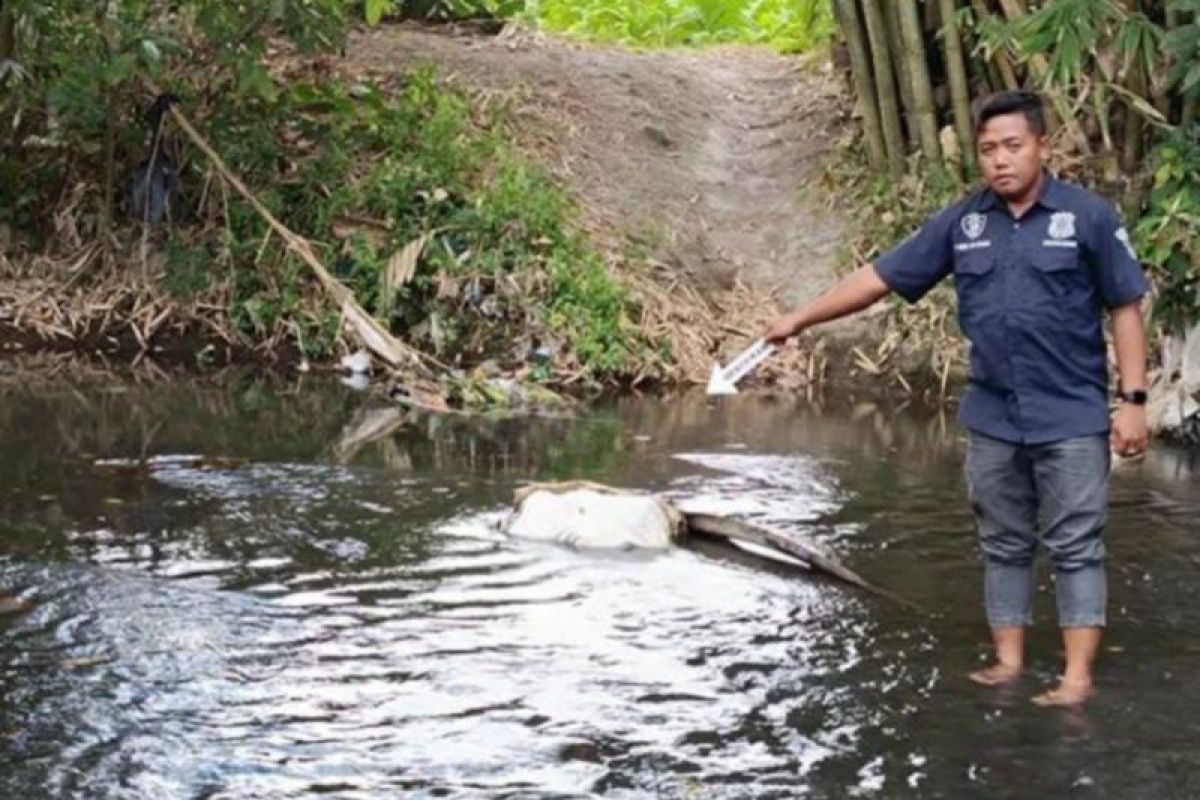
(705, 158)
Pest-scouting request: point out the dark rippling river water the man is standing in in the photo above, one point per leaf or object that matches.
(238, 593)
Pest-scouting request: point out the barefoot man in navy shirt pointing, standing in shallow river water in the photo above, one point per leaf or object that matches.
(1034, 262)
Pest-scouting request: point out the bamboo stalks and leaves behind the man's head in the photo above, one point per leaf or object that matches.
(1121, 77)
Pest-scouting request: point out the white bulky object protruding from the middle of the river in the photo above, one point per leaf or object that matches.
(591, 518)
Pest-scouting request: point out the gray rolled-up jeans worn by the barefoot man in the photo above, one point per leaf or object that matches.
(1053, 495)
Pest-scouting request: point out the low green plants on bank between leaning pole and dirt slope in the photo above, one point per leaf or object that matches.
(502, 263)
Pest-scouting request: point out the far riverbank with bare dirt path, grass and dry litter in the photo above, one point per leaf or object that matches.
(515, 208)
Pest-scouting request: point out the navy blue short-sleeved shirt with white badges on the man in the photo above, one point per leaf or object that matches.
(1031, 294)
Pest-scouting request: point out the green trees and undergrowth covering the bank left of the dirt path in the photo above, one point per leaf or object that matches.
(409, 191)
